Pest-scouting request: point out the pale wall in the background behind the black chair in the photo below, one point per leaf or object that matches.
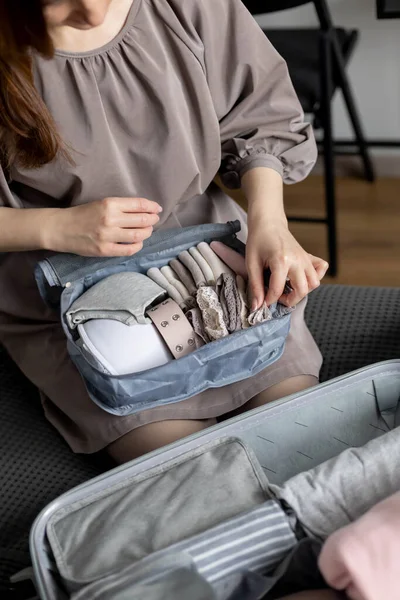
(374, 69)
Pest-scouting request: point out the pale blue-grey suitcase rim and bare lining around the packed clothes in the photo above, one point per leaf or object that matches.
(288, 437)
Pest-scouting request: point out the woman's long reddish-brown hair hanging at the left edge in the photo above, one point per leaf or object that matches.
(28, 133)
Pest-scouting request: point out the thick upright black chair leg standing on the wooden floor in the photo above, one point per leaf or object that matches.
(329, 151)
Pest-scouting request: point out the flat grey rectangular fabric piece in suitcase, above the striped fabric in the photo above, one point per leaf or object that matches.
(155, 509)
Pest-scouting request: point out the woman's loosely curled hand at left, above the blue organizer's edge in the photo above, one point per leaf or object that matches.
(109, 227)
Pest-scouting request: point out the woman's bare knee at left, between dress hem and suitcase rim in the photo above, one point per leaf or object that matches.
(155, 435)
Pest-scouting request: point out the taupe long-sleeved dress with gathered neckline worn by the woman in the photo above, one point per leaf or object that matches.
(185, 90)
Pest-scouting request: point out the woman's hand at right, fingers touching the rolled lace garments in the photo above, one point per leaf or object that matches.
(271, 245)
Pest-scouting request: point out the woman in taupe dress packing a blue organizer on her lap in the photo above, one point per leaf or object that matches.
(122, 129)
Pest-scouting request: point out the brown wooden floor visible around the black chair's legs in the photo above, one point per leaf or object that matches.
(369, 227)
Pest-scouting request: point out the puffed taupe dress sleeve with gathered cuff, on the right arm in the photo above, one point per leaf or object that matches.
(261, 119)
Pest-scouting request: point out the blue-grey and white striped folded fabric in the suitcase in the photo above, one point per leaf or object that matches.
(256, 541)
